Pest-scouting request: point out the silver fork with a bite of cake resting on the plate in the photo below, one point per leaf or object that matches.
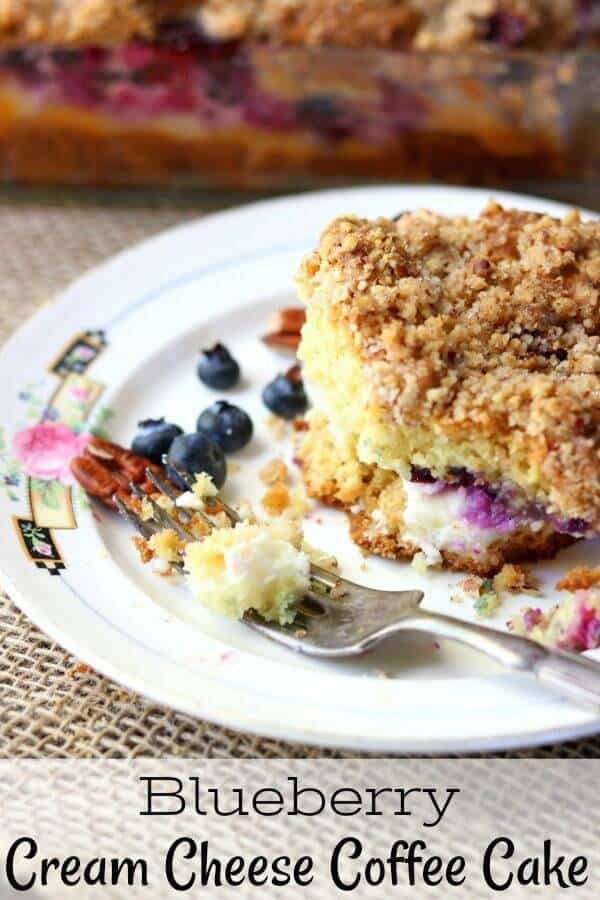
(337, 618)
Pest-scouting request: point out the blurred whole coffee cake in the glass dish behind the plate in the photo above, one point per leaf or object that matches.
(246, 92)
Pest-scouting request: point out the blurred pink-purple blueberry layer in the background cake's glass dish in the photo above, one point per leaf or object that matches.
(184, 71)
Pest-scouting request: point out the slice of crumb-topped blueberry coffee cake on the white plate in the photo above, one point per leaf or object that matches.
(454, 366)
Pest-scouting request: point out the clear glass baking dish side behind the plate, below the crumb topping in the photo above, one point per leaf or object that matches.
(188, 110)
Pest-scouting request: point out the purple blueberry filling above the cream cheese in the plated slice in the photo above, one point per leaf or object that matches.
(490, 508)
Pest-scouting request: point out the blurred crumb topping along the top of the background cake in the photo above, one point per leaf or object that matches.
(420, 24)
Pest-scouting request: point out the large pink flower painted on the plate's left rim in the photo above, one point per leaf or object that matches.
(45, 450)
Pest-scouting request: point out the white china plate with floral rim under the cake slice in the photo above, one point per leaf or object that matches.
(73, 569)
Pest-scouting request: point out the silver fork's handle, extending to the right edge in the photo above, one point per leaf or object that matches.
(570, 674)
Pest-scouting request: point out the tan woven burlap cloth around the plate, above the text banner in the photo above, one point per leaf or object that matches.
(50, 706)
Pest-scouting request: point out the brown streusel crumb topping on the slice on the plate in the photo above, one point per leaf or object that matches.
(485, 327)
